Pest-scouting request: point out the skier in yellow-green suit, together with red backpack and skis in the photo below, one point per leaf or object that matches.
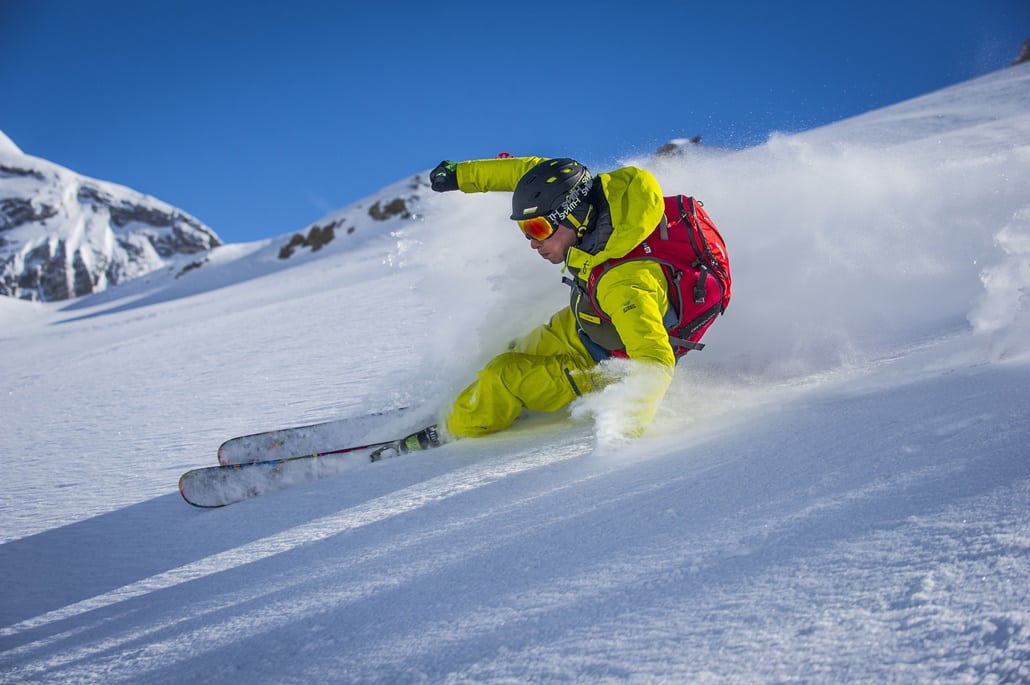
(649, 276)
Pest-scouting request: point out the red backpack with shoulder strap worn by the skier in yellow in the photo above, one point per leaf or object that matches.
(694, 256)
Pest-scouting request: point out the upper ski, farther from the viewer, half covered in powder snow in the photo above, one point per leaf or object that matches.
(369, 430)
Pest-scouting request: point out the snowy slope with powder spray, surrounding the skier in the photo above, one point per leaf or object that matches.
(838, 489)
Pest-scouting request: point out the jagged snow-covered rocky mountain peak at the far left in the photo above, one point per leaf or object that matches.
(63, 235)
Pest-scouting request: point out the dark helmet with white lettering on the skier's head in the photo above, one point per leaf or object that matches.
(554, 187)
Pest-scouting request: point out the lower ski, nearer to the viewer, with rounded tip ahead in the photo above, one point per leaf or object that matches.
(228, 484)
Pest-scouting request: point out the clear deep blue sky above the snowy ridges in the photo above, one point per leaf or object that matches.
(261, 118)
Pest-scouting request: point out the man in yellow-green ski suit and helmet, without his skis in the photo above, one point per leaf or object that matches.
(591, 224)
